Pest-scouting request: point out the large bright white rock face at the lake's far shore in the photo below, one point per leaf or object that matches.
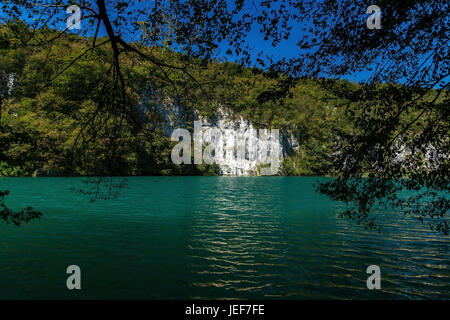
(233, 128)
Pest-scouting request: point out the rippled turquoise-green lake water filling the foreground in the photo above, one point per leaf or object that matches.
(211, 238)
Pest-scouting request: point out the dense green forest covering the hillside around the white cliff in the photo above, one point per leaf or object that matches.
(51, 96)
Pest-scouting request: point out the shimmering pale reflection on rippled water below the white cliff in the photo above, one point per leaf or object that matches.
(236, 244)
